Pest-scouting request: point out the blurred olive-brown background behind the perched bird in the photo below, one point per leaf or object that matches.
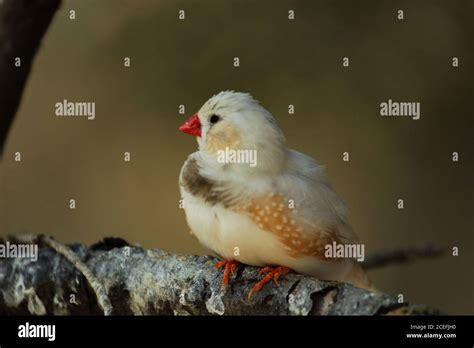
(282, 62)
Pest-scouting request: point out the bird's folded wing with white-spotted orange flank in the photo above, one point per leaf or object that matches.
(301, 209)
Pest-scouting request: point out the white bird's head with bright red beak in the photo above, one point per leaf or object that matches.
(233, 121)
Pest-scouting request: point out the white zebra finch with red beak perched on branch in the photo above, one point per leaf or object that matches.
(277, 212)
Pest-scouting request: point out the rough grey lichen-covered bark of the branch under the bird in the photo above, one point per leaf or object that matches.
(140, 281)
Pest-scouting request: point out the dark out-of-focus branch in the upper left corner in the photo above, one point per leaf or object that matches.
(22, 26)
